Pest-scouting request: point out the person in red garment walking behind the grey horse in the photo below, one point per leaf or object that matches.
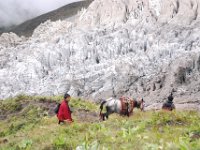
(64, 112)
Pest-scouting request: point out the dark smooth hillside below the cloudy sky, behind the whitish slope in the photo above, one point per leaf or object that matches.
(63, 13)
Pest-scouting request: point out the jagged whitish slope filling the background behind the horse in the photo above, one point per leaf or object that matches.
(138, 48)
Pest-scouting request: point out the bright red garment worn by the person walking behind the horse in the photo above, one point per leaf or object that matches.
(64, 112)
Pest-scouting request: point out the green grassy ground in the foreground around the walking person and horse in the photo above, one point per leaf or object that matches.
(33, 128)
